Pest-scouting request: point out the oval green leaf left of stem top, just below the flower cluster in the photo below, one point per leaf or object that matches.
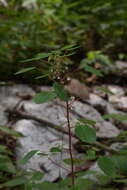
(43, 97)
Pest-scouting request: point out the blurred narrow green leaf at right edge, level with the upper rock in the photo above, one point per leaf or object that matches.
(115, 116)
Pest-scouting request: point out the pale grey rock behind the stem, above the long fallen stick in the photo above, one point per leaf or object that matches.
(57, 115)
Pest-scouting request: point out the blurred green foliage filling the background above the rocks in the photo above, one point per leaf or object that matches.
(94, 25)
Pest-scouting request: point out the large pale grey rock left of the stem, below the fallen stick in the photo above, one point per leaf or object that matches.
(42, 138)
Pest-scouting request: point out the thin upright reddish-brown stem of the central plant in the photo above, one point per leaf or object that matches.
(70, 144)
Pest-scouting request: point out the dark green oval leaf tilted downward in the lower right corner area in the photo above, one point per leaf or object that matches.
(107, 166)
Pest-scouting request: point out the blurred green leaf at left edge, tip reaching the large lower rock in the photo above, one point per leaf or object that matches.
(11, 131)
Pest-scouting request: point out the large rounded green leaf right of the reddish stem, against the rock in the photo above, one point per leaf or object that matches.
(85, 133)
